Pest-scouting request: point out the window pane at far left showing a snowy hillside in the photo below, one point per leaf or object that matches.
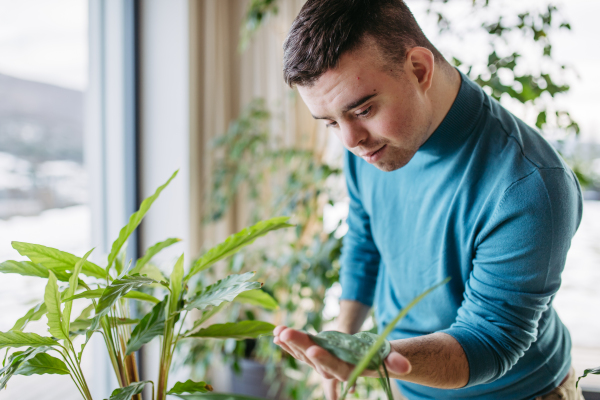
(43, 191)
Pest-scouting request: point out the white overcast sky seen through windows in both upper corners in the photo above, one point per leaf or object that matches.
(46, 40)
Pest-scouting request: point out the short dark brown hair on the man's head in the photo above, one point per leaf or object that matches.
(325, 29)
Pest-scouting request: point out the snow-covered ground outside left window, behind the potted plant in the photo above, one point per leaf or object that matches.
(67, 229)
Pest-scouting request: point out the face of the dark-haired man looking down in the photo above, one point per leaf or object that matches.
(379, 114)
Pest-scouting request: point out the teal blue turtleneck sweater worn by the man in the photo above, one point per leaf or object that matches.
(487, 201)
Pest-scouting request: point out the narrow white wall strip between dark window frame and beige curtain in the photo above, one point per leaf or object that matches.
(164, 122)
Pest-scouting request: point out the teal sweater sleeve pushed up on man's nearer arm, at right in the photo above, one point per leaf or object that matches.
(519, 257)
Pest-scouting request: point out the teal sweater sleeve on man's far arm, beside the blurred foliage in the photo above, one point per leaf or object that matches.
(360, 257)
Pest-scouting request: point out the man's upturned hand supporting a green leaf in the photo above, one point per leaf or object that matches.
(301, 347)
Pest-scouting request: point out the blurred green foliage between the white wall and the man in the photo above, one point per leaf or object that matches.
(297, 268)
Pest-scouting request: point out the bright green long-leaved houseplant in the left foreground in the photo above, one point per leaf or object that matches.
(108, 291)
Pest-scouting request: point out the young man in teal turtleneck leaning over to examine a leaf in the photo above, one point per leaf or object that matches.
(442, 181)
